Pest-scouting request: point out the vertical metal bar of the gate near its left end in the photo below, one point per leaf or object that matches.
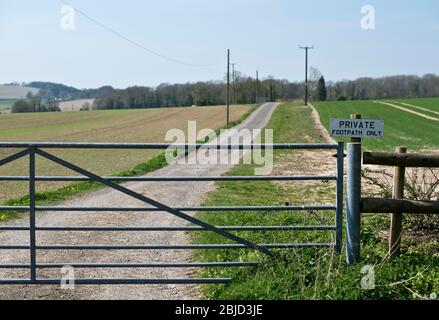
(32, 218)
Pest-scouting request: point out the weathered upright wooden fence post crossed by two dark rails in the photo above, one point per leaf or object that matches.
(396, 223)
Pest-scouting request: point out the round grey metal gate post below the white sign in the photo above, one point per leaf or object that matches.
(353, 214)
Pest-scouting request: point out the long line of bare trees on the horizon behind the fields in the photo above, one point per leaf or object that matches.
(245, 90)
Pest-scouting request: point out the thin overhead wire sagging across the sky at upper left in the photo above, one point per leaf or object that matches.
(135, 43)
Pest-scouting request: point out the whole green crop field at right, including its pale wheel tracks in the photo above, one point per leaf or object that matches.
(413, 123)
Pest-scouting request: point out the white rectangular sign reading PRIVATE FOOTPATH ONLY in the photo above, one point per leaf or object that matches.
(350, 128)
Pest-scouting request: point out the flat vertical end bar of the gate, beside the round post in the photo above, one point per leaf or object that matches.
(339, 214)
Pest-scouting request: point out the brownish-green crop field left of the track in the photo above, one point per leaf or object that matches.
(142, 125)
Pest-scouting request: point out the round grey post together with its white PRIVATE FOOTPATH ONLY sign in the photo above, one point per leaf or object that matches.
(356, 129)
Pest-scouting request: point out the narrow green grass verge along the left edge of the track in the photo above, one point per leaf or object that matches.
(77, 189)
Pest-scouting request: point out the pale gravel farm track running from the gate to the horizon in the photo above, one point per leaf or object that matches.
(173, 194)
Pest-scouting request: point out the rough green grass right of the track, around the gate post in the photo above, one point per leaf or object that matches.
(310, 273)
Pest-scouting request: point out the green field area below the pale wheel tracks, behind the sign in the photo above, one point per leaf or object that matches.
(401, 128)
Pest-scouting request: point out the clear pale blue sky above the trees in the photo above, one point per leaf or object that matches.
(145, 42)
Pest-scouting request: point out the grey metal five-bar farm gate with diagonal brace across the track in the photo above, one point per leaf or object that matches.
(30, 150)
